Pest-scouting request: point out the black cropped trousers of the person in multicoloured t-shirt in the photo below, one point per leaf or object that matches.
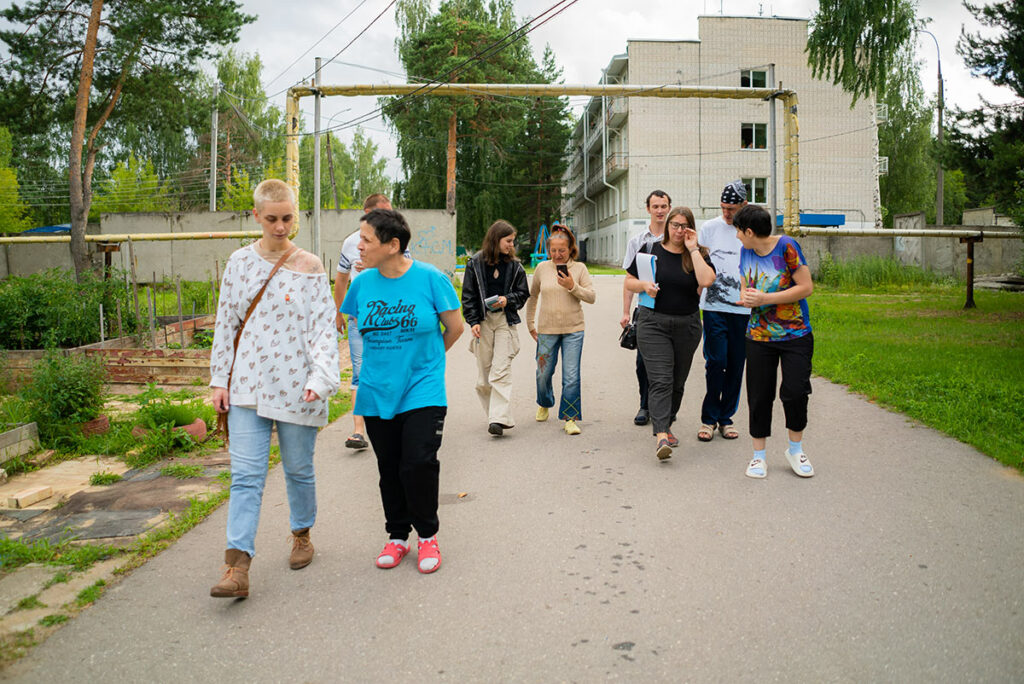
(763, 360)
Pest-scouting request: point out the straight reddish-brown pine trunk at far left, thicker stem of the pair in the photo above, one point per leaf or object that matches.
(79, 179)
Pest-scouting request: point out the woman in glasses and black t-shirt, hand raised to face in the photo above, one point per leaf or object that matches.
(669, 320)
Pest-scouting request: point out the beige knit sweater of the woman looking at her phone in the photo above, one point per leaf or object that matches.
(561, 312)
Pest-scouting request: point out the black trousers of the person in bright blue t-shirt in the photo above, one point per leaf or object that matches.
(407, 460)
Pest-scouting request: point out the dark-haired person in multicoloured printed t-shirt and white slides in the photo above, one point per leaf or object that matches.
(775, 284)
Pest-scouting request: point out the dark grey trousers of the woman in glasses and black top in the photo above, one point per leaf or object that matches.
(668, 344)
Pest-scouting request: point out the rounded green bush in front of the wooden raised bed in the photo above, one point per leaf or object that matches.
(66, 390)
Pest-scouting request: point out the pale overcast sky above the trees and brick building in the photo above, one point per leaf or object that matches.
(584, 38)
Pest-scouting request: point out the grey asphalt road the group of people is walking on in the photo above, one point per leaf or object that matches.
(584, 559)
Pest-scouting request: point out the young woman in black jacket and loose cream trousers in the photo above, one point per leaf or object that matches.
(493, 292)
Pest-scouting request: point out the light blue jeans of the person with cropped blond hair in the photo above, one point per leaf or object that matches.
(250, 449)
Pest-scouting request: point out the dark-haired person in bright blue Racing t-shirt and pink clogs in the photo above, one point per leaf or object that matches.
(408, 313)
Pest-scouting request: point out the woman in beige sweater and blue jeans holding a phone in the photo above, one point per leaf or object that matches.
(561, 284)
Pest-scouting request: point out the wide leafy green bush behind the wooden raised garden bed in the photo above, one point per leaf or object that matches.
(53, 310)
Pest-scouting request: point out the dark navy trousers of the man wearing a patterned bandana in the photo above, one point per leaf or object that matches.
(726, 353)
